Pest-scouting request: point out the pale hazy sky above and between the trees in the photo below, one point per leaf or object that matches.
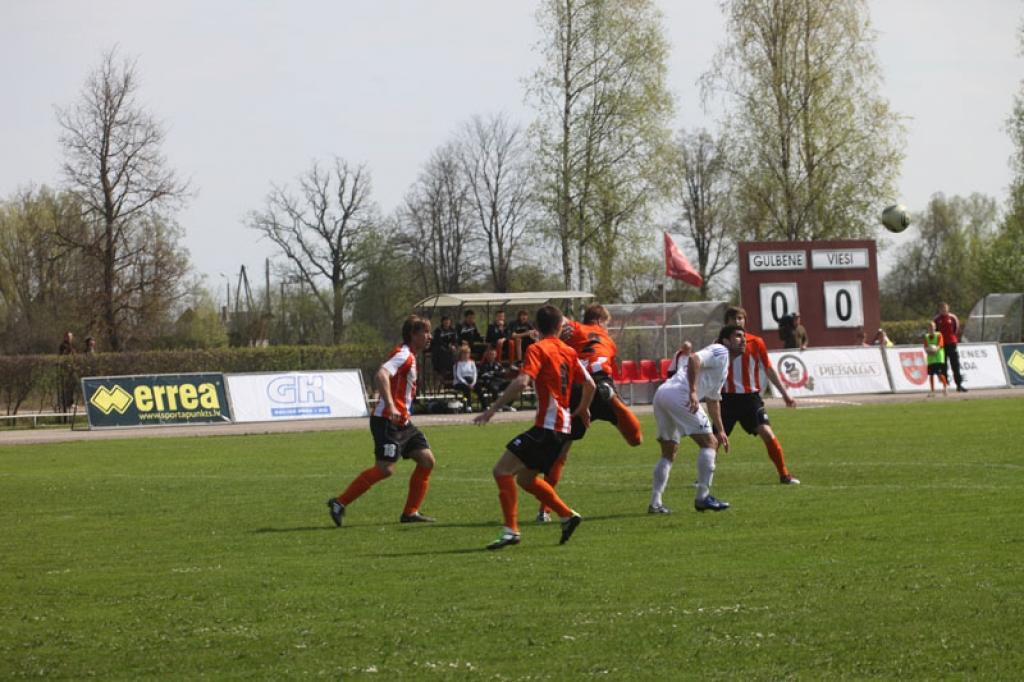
(252, 93)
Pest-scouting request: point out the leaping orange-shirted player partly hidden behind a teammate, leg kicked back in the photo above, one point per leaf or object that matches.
(598, 353)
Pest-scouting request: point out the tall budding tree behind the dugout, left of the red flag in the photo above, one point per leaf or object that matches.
(603, 129)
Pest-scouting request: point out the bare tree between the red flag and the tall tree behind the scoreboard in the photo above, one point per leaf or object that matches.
(704, 195)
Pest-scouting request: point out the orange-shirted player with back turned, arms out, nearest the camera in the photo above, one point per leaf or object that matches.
(554, 368)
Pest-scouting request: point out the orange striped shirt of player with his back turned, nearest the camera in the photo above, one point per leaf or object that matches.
(554, 367)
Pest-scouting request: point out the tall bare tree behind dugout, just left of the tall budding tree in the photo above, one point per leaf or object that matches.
(494, 159)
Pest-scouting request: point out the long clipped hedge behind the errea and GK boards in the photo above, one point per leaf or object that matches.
(35, 381)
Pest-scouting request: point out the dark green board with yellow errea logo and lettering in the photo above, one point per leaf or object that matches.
(156, 400)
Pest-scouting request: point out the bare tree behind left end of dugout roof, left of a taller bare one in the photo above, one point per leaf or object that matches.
(439, 222)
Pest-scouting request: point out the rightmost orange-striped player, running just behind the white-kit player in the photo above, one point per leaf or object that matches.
(742, 395)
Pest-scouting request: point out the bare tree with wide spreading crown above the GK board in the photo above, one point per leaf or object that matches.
(324, 233)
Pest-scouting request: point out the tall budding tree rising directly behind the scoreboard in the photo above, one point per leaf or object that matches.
(818, 149)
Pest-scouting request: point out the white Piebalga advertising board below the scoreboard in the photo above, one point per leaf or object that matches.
(831, 371)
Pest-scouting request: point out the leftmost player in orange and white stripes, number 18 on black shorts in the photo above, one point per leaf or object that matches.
(395, 436)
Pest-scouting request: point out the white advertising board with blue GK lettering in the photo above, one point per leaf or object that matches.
(279, 397)
